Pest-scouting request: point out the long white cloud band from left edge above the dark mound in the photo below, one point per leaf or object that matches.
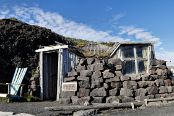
(57, 23)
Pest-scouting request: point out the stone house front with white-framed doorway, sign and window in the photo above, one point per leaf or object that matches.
(129, 73)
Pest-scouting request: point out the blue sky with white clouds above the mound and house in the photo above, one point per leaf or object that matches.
(102, 20)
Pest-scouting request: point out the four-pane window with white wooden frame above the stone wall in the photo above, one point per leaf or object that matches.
(135, 59)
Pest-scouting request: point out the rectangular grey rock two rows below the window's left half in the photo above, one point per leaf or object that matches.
(130, 84)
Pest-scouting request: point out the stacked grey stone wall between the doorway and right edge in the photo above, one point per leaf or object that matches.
(102, 81)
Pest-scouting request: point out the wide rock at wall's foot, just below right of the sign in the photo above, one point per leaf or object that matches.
(80, 101)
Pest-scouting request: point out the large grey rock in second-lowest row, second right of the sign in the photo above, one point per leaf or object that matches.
(98, 92)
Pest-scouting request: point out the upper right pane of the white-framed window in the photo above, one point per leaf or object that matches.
(141, 51)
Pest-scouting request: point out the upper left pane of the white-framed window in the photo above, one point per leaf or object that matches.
(128, 51)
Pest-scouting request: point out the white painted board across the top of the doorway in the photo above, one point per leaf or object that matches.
(51, 48)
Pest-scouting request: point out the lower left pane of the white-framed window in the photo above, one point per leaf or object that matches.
(129, 67)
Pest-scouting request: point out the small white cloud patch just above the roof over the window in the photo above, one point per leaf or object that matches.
(139, 34)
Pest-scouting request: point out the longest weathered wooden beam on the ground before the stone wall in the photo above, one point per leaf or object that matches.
(94, 106)
